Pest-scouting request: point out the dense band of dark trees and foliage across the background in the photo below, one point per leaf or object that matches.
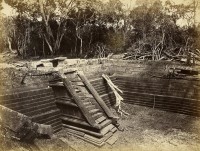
(91, 28)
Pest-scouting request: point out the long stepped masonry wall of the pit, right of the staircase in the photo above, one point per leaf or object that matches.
(148, 84)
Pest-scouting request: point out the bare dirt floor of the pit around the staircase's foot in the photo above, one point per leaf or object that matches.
(150, 129)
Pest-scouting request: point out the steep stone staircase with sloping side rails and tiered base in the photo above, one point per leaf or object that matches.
(81, 113)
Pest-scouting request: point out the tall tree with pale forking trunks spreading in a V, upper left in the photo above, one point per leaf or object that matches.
(50, 13)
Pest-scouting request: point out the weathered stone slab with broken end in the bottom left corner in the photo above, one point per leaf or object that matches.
(22, 126)
